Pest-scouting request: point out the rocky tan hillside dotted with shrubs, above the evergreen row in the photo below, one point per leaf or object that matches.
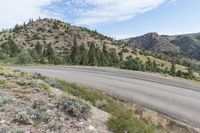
(49, 31)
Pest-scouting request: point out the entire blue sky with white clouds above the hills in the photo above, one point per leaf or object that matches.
(115, 18)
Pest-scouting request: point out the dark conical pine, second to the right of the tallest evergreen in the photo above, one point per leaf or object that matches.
(92, 56)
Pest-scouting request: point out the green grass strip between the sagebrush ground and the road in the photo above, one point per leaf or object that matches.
(122, 119)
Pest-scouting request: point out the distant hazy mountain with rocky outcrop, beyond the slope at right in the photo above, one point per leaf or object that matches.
(187, 45)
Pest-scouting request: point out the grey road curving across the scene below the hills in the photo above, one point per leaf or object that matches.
(176, 98)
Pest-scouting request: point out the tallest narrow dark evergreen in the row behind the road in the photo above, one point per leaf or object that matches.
(74, 53)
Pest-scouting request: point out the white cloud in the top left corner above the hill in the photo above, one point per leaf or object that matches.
(18, 11)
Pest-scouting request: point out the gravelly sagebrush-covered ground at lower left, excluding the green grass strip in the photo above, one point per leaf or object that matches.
(31, 103)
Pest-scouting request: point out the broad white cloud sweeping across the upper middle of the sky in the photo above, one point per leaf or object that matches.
(108, 11)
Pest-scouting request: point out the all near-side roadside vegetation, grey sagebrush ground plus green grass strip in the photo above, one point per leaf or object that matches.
(45, 104)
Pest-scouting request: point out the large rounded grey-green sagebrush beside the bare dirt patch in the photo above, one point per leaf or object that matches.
(76, 108)
